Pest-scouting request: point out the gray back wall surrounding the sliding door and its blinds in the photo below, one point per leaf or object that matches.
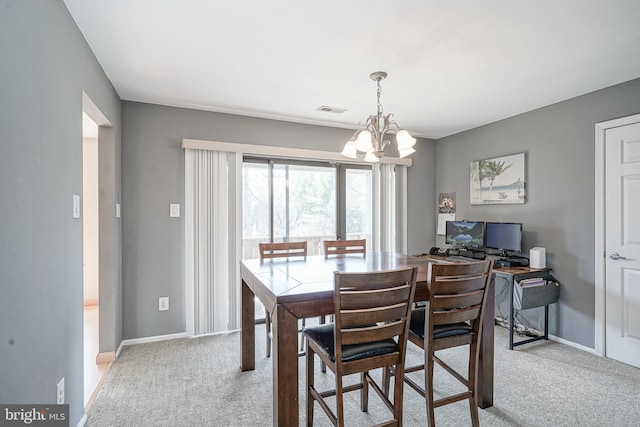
(153, 173)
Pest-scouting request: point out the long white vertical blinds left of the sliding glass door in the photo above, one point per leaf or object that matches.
(213, 239)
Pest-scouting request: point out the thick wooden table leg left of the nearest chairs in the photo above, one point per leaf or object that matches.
(285, 367)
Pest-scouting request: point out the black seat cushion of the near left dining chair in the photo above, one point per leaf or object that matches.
(323, 335)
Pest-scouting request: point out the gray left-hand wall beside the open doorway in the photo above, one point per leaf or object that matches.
(45, 66)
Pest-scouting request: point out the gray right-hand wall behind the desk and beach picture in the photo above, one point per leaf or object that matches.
(559, 214)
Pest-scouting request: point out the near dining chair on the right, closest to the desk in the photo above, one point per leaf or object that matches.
(452, 317)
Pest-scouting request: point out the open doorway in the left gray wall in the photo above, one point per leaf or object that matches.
(101, 246)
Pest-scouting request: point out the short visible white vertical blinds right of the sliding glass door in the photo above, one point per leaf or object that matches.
(389, 208)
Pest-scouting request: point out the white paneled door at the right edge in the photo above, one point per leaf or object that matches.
(617, 255)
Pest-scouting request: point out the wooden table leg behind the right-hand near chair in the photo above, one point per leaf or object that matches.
(485, 364)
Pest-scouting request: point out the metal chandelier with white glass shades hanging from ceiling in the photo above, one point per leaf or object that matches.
(371, 140)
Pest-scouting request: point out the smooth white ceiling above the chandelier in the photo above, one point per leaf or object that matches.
(452, 66)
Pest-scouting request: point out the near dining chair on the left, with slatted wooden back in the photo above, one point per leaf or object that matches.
(372, 313)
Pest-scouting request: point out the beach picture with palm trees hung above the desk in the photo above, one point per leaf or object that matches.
(500, 180)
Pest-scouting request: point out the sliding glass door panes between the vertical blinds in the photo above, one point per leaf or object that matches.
(286, 200)
